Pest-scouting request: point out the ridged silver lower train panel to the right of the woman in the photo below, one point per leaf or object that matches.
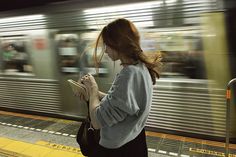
(186, 106)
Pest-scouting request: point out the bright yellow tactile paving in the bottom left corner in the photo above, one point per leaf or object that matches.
(14, 148)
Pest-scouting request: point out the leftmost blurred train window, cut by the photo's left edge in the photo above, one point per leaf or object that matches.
(14, 56)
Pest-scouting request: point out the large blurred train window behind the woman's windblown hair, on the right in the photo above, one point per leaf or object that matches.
(181, 50)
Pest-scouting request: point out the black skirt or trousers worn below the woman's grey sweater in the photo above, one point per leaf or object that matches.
(137, 147)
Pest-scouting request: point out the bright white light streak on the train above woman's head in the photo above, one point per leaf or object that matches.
(143, 14)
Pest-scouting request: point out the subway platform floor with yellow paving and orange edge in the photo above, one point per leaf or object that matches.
(23, 135)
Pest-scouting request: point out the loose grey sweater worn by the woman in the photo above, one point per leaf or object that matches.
(123, 112)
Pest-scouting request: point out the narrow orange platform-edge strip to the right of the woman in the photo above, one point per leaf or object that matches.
(188, 139)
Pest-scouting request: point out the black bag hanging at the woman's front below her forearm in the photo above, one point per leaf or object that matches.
(87, 137)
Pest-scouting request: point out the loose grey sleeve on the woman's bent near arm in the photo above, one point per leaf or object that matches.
(120, 101)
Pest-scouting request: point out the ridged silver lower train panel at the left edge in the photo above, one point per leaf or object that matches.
(39, 95)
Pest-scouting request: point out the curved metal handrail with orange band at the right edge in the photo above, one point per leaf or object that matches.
(227, 129)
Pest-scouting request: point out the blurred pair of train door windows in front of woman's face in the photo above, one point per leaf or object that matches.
(76, 53)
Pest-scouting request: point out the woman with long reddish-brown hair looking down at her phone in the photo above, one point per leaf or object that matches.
(121, 114)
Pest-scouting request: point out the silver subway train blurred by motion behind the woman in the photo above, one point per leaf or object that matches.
(42, 47)
